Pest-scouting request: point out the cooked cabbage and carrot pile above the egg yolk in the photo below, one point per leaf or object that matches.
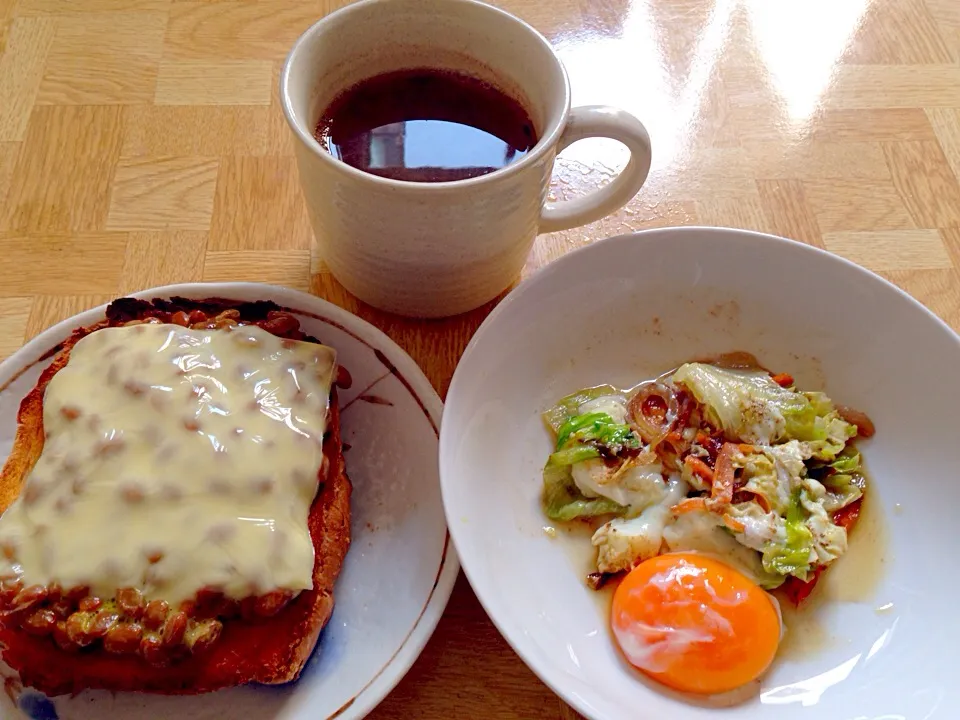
(795, 467)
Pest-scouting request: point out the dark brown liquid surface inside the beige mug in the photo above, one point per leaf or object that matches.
(426, 125)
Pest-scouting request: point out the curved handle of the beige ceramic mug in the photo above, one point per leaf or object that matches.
(601, 121)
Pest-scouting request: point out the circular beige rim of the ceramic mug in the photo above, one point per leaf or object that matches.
(549, 139)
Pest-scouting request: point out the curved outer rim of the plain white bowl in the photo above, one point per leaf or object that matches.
(547, 676)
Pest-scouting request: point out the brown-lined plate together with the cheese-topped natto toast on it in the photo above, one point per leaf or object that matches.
(176, 511)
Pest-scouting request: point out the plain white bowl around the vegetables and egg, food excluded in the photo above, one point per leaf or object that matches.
(881, 645)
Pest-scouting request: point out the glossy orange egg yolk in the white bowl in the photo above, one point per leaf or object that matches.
(695, 624)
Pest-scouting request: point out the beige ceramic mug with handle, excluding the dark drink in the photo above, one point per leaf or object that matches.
(436, 249)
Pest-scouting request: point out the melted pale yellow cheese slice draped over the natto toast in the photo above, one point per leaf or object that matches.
(175, 459)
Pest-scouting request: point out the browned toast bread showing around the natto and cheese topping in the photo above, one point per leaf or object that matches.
(270, 651)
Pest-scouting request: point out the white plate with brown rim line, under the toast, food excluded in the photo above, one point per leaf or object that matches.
(399, 571)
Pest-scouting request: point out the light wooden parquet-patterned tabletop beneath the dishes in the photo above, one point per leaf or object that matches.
(141, 143)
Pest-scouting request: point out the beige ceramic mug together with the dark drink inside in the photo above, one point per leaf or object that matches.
(426, 133)
